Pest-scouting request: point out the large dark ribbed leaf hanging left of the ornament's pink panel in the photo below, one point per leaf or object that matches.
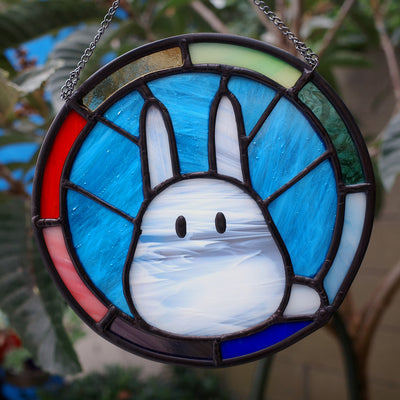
(26, 294)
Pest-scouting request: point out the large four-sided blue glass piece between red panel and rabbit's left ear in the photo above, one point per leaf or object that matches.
(108, 165)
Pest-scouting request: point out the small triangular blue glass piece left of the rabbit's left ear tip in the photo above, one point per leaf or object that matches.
(126, 113)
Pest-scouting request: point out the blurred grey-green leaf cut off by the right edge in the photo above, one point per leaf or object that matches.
(389, 160)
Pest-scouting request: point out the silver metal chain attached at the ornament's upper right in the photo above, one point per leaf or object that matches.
(309, 56)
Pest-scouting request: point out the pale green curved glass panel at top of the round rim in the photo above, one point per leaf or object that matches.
(228, 54)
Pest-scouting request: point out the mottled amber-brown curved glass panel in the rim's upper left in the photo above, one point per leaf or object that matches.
(158, 61)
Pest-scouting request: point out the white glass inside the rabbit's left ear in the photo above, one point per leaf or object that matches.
(159, 145)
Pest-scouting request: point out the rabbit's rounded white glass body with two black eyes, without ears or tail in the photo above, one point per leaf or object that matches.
(207, 283)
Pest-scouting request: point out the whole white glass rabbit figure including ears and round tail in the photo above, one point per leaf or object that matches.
(206, 262)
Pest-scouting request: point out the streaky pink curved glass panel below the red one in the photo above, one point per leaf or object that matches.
(54, 239)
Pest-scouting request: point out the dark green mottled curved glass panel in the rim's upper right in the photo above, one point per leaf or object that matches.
(346, 150)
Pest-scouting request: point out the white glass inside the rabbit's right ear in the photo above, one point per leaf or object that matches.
(227, 148)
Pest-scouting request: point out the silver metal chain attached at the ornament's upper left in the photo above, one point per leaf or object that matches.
(69, 86)
